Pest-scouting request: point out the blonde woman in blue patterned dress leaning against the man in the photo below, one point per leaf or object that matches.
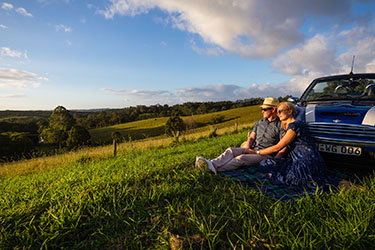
(304, 165)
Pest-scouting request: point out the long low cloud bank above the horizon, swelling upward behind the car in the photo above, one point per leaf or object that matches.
(318, 56)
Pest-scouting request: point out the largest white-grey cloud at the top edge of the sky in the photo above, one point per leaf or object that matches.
(251, 28)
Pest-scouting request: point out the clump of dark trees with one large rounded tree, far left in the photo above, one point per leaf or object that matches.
(59, 131)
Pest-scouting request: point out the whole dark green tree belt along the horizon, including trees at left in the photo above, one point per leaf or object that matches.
(63, 129)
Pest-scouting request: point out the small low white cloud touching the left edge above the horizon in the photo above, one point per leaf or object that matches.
(13, 78)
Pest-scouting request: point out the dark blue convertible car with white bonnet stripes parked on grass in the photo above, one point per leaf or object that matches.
(340, 113)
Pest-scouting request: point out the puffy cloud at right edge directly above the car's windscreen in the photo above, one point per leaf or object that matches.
(329, 54)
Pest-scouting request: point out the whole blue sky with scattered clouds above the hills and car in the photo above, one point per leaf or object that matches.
(84, 54)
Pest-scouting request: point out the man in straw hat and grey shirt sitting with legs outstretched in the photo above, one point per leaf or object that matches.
(266, 132)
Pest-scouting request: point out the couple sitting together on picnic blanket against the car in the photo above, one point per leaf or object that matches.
(279, 145)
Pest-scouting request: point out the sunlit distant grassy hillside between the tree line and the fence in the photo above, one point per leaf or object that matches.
(155, 126)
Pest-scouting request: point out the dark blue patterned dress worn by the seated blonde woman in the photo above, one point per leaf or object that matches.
(304, 165)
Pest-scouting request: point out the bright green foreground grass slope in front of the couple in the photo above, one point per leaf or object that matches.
(153, 198)
